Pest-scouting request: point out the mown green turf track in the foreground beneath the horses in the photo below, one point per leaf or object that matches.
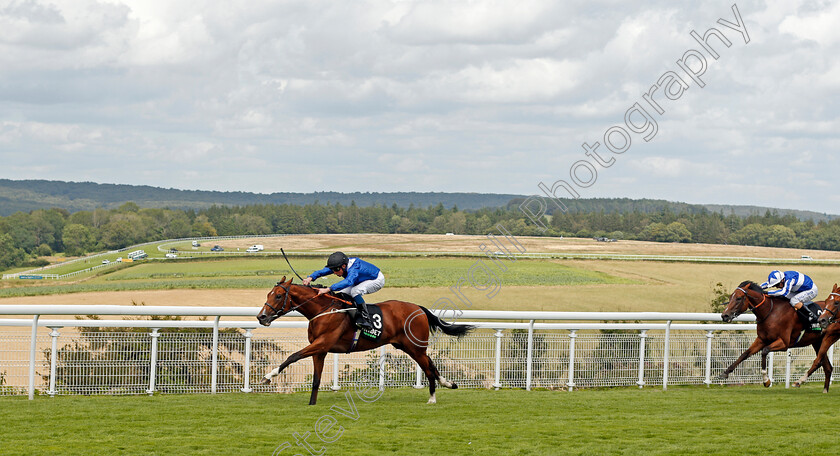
(688, 420)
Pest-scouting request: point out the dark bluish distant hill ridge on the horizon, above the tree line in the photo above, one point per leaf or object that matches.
(28, 195)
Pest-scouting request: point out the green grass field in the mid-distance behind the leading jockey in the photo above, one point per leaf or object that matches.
(264, 272)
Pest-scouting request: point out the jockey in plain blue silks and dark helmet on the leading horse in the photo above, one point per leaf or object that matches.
(360, 278)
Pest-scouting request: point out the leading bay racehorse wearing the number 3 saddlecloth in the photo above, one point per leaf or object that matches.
(406, 326)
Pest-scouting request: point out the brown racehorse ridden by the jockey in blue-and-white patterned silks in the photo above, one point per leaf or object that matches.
(778, 328)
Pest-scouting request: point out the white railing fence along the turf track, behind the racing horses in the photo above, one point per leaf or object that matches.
(510, 349)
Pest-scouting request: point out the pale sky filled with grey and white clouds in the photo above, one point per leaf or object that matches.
(432, 96)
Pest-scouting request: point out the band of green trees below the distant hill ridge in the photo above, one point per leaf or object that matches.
(26, 236)
